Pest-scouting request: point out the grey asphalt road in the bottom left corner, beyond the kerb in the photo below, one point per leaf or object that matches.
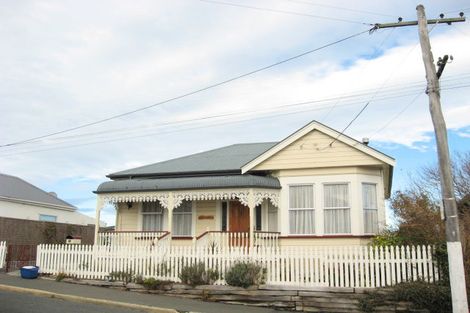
(11, 302)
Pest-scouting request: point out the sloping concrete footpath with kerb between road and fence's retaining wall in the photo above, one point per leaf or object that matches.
(115, 297)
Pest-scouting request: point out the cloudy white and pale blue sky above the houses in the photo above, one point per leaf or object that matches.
(65, 64)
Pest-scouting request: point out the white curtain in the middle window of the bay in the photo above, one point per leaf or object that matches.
(337, 211)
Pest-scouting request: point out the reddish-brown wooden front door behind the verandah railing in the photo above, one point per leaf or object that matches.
(239, 222)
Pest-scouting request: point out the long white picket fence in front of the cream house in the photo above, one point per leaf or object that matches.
(364, 267)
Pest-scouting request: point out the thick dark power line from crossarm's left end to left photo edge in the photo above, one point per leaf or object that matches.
(189, 93)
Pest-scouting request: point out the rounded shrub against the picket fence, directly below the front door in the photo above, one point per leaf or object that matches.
(245, 274)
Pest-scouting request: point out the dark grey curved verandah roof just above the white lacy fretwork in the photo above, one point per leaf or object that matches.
(179, 183)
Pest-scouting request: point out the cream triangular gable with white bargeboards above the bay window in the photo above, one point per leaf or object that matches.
(310, 147)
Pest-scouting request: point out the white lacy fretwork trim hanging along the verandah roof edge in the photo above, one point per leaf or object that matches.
(246, 196)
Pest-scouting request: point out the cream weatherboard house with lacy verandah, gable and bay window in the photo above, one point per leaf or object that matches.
(315, 187)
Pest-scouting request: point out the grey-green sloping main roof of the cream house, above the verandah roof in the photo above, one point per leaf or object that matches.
(225, 159)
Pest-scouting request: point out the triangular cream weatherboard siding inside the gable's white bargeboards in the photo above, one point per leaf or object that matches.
(310, 152)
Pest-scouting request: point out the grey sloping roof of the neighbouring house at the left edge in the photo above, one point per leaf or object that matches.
(15, 188)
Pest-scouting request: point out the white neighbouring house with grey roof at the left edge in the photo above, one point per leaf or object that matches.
(22, 200)
